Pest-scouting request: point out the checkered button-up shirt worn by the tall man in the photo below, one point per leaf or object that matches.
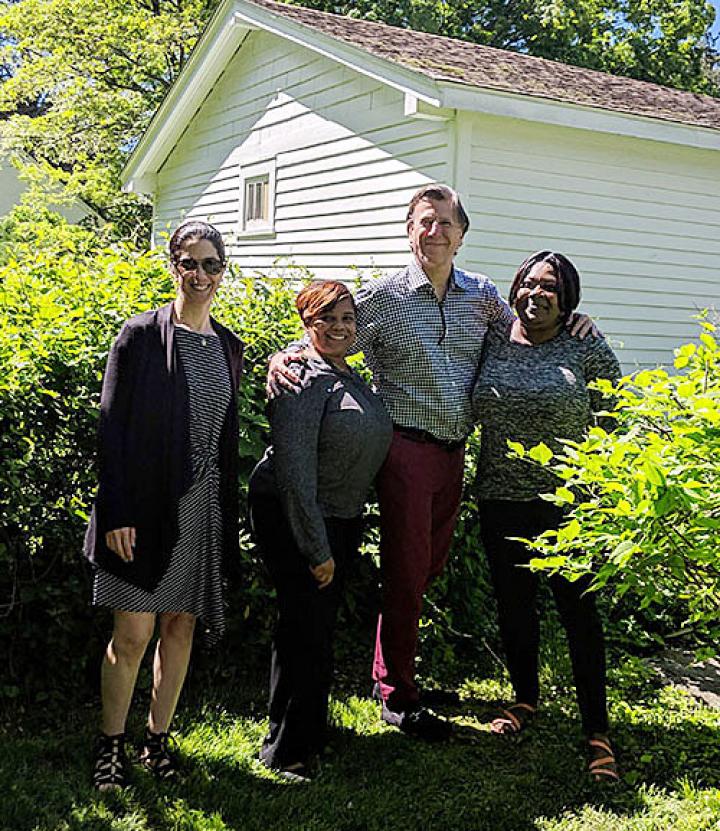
(424, 354)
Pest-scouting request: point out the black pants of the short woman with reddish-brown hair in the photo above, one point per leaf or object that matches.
(302, 650)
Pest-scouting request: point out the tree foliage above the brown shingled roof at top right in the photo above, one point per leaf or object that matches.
(664, 41)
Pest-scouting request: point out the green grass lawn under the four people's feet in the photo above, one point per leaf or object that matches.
(376, 778)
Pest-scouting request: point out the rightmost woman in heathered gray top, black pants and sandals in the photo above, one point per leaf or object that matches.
(532, 388)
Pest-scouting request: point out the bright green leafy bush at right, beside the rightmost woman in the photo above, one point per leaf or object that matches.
(644, 499)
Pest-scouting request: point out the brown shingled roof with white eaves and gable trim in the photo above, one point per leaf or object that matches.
(442, 72)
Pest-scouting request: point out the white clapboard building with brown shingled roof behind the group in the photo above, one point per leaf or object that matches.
(302, 135)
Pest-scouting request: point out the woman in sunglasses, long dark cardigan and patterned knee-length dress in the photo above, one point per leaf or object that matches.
(166, 512)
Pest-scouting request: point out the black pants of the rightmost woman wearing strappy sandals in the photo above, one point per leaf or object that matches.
(516, 590)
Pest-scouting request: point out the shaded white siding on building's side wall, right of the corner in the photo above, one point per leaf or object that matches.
(641, 220)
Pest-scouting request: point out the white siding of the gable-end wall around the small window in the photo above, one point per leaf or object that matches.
(347, 161)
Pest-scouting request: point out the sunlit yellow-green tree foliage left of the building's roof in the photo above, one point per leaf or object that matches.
(91, 72)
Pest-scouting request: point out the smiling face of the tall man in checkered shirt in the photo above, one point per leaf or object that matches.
(435, 234)
